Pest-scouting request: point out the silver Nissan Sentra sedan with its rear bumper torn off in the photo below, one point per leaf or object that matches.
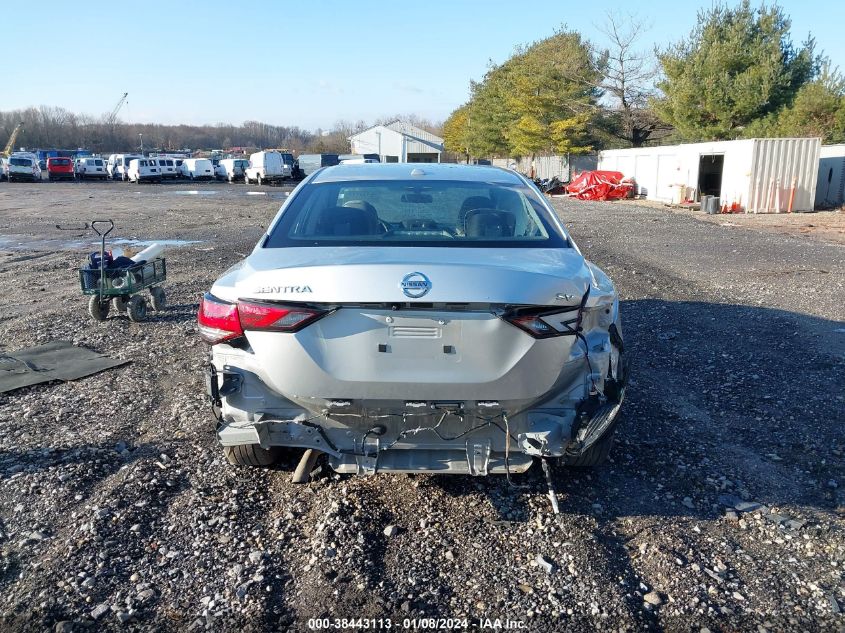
(415, 318)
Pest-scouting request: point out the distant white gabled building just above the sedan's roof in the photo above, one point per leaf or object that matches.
(398, 142)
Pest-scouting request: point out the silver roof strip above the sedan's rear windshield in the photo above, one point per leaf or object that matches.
(421, 171)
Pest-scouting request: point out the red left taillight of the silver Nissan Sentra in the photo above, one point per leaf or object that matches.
(221, 321)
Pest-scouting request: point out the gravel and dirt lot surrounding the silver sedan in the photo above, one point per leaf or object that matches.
(723, 507)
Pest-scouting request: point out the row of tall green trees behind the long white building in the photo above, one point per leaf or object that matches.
(737, 75)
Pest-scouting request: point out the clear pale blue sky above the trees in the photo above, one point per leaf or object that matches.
(307, 63)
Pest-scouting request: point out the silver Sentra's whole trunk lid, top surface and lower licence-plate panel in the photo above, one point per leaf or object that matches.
(380, 349)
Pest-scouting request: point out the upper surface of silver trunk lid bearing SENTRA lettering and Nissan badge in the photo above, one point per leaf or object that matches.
(525, 276)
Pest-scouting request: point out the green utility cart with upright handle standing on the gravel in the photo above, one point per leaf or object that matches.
(117, 286)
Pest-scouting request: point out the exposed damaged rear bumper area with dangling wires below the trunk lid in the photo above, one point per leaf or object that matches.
(468, 438)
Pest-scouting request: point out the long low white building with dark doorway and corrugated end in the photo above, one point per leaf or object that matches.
(758, 175)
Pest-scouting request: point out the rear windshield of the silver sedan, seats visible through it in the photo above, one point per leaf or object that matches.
(413, 213)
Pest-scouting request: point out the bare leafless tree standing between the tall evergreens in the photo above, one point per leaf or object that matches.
(629, 76)
